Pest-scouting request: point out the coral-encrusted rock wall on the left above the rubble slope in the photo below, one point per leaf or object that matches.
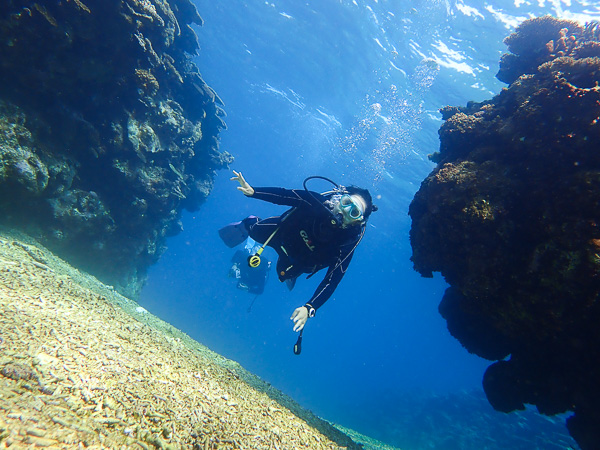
(107, 130)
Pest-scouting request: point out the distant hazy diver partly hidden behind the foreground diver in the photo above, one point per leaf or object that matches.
(250, 279)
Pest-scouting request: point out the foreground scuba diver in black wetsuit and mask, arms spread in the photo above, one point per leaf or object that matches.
(319, 231)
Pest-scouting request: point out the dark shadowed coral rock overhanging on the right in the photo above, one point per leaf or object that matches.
(511, 218)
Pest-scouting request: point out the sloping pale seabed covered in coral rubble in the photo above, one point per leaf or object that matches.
(84, 367)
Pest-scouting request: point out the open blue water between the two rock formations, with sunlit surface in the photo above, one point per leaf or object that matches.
(349, 90)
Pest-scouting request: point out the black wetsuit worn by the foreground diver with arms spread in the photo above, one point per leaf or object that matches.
(308, 238)
